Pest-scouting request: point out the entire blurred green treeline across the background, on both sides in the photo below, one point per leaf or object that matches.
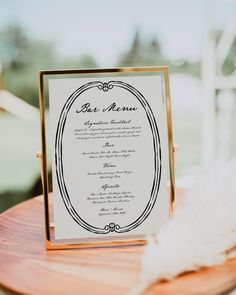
(22, 57)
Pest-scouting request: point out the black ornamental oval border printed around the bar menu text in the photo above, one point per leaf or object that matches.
(111, 227)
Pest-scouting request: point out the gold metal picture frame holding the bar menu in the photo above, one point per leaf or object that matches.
(51, 242)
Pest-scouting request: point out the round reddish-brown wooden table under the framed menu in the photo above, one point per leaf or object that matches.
(26, 267)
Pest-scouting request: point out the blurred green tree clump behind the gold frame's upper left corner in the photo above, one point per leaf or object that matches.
(22, 57)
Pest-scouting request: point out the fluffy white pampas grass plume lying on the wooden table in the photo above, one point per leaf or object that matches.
(200, 232)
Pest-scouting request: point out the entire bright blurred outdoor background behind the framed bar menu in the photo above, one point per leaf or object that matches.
(195, 38)
